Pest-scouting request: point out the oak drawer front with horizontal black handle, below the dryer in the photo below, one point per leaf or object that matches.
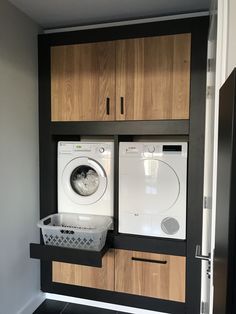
(152, 275)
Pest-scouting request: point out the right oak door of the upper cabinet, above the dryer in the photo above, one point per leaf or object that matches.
(153, 78)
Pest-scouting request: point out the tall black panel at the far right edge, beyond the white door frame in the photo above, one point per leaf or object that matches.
(224, 260)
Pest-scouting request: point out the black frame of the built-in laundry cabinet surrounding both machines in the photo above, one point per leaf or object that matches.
(192, 130)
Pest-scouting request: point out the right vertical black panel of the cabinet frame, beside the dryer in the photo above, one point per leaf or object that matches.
(196, 165)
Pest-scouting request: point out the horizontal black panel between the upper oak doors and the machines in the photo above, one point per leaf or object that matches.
(161, 127)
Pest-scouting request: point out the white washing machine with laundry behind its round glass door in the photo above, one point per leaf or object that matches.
(85, 177)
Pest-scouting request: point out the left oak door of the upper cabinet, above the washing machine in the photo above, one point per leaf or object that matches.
(83, 82)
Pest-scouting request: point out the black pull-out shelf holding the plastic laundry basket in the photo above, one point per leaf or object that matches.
(67, 255)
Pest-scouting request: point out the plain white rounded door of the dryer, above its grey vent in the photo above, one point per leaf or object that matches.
(147, 186)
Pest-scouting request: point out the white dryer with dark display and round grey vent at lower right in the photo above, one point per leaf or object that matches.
(152, 189)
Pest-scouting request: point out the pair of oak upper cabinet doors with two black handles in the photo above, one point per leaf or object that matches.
(132, 79)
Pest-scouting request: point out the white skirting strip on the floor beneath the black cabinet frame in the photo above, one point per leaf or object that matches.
(103, 305)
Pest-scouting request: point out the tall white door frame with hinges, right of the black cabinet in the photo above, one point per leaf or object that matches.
(219, 10)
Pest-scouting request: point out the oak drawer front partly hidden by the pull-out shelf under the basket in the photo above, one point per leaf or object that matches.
(93, 277)
